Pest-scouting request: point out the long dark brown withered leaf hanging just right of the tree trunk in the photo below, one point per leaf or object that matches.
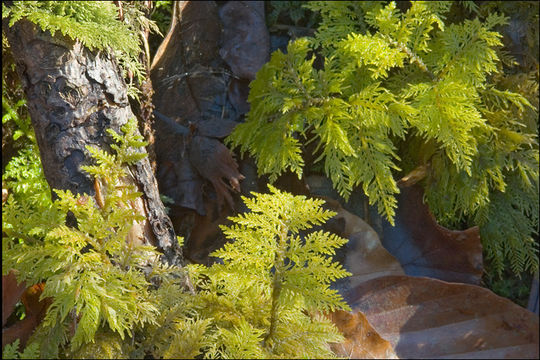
(193, 111)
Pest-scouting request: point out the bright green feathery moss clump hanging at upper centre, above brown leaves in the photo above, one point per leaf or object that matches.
(289, 98)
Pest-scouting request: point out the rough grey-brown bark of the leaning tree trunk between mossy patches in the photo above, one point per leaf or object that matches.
(73, 96)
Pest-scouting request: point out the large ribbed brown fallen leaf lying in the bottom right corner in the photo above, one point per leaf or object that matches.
(430, 318)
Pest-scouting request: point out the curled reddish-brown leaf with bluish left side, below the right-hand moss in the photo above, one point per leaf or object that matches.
(424, 248)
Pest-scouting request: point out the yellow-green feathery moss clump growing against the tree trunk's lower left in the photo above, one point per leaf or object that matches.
(92, 273)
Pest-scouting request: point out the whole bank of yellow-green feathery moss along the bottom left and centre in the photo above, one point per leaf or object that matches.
(110, 298)
